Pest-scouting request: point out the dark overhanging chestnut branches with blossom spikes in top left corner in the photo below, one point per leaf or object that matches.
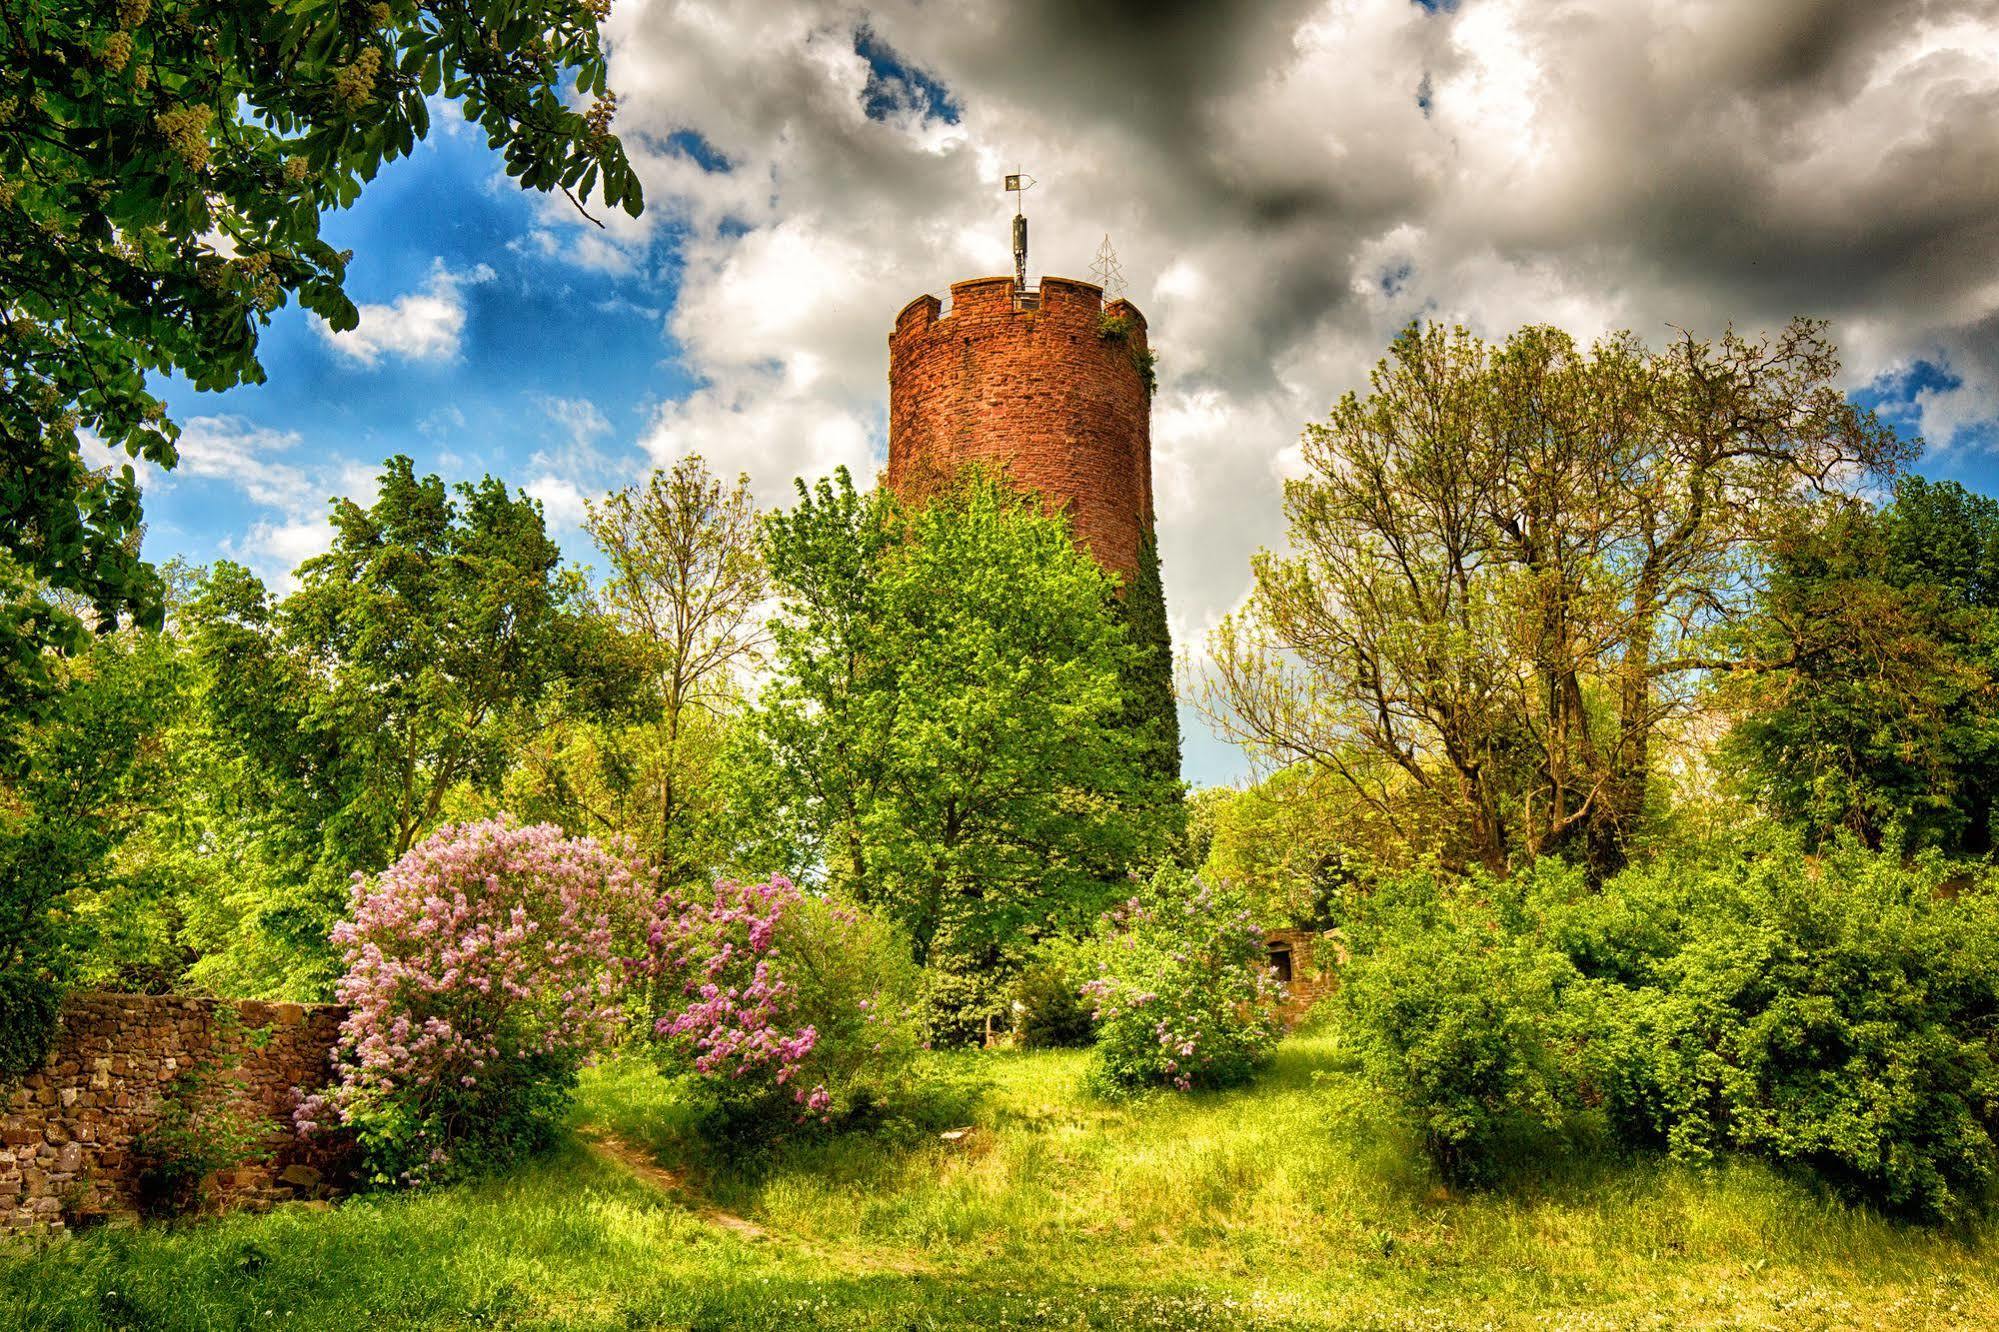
(163, 173)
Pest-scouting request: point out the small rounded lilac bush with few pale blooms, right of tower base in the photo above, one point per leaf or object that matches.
(1180, 989)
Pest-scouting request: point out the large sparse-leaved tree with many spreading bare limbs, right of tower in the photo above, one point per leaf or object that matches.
(1508, 567)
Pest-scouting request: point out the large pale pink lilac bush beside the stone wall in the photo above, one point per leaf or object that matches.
(485, 969)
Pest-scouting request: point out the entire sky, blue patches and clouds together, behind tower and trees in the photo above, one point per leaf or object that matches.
(1286, 187)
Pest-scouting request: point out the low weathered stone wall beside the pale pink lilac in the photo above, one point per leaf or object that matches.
(67, 1131)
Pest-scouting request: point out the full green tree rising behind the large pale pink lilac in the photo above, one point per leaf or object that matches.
(407, 665)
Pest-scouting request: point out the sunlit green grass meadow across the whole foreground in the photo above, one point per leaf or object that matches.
(1268, 1207)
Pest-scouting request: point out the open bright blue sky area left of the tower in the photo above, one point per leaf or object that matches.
(543, 341)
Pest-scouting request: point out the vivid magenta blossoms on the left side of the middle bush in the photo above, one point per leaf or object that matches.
(735, 1001)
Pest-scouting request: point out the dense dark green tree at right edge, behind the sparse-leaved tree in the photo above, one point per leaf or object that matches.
(1880, 705)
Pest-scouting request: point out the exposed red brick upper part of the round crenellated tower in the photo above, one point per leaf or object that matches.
(1036, 395)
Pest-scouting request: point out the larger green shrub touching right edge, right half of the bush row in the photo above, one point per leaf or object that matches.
(1834, 1015)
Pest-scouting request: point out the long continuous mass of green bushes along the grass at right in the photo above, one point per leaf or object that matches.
(1832, 1015)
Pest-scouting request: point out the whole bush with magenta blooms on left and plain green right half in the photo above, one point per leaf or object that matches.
(789, 1009)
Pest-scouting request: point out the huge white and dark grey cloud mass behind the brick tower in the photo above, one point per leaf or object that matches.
(1288, 185)
